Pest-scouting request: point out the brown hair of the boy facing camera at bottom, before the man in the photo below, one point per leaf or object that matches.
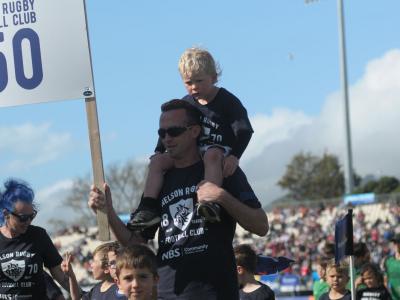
(136, 257)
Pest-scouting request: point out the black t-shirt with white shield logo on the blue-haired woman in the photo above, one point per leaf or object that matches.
(22, 259)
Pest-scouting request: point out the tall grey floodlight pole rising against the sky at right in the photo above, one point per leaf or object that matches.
(345, 93)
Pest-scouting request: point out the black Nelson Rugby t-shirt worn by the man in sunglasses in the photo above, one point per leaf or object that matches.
(196, 257)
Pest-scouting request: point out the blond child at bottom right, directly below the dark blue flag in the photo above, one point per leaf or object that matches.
(337, 276)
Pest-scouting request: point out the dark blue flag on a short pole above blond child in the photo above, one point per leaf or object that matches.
(344, 237)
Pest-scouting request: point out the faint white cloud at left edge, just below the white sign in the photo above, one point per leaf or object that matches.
(34, 145)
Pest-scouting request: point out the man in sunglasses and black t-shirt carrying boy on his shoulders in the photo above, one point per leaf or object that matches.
(195, 257)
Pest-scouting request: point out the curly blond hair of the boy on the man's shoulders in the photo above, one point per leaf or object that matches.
(195, 61)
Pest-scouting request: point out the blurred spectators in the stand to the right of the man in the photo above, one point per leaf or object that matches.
(302, 232)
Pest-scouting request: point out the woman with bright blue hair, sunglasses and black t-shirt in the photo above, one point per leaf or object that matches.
(24, 248)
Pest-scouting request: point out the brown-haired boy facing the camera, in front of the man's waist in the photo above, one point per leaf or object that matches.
(136, 270)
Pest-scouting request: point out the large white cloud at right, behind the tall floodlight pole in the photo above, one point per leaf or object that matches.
(374, 113)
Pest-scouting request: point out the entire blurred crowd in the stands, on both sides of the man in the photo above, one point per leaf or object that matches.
(297, 232)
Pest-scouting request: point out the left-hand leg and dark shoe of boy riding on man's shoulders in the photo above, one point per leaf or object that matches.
(148, 212)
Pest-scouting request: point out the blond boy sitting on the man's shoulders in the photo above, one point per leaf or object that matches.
(226, 132)
